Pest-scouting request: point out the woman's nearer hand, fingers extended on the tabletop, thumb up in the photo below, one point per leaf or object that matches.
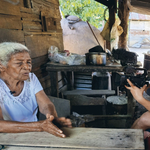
(48, 126)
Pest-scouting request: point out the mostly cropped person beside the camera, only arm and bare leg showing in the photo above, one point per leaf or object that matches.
(144, 121)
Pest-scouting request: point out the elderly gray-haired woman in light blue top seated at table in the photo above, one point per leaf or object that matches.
(21, 94)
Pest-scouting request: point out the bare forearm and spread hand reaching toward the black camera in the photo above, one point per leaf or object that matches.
(138, 94)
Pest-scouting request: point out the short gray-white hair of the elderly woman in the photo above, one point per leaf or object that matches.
(7, 49)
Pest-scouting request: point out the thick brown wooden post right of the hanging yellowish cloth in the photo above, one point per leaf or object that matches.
(124, 16)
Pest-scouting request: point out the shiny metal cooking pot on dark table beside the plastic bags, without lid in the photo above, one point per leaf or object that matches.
(96, 58)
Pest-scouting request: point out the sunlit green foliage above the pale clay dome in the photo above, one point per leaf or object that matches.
(87, 10)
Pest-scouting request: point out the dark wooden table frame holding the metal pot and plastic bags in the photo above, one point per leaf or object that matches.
(54, 68)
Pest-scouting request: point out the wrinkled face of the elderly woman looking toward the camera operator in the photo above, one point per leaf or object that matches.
(19, 66)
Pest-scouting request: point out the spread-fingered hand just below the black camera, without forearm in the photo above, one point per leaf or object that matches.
(136, 92)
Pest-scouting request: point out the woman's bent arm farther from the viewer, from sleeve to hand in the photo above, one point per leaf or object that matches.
(47, 108)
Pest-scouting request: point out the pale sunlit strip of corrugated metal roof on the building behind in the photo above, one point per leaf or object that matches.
(136, 16)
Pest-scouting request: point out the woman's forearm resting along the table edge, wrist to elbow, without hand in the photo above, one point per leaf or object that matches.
(17, 127)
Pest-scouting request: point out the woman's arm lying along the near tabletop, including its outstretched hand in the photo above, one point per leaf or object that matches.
(18, 127)
